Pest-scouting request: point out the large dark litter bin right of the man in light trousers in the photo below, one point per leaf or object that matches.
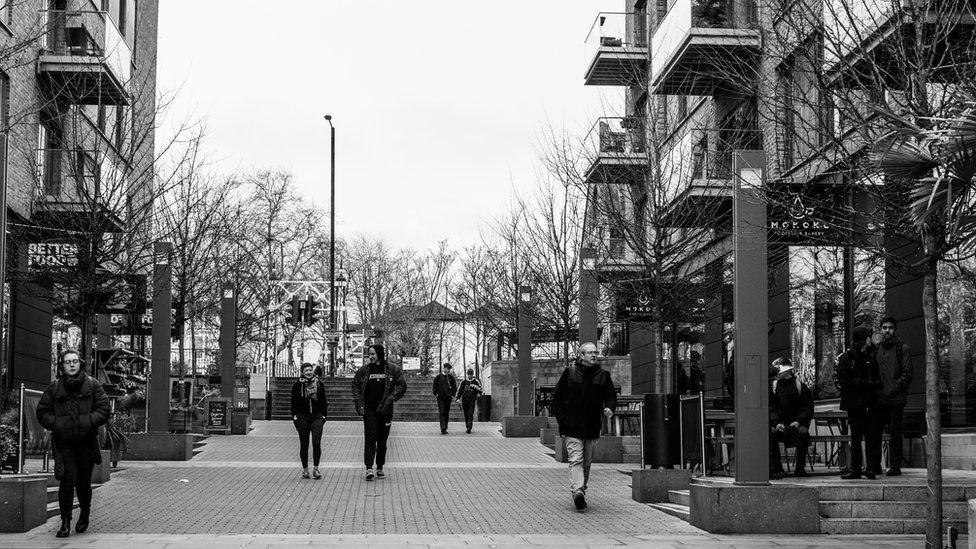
(661, 435)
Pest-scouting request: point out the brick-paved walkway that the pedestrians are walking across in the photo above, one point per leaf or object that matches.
(442, 491)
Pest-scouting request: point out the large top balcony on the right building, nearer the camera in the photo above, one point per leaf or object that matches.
(702, 44)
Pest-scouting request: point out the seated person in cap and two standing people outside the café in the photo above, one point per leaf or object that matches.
(873, 377)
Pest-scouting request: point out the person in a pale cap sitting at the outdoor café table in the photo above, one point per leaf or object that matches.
(790, 412)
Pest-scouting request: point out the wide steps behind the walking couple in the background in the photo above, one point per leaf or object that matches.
(418, 404)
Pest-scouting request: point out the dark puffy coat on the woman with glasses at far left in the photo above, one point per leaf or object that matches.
(74, 417)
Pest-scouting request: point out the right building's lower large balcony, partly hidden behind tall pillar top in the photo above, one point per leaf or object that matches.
(698, 172)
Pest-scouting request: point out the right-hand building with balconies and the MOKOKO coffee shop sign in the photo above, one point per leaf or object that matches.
(812, 86)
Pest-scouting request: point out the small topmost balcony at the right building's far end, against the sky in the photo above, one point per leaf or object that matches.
(616, 49)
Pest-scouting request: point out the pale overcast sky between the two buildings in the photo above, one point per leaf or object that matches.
(439, 105)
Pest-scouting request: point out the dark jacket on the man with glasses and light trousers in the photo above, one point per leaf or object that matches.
(579, 399)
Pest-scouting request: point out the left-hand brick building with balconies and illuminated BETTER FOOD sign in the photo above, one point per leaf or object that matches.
(78, 94)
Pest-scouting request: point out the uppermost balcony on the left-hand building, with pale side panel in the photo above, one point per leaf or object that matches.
(85, 59)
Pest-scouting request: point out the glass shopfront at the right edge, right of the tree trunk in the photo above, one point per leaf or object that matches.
(957, 342)
